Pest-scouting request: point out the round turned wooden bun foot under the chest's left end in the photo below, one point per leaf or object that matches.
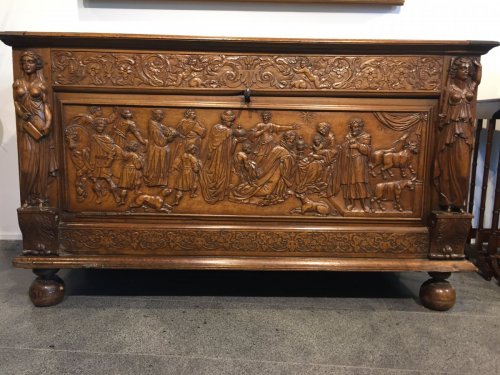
(47, 289)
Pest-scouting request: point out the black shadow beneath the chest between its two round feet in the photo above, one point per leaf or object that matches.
(235, 283)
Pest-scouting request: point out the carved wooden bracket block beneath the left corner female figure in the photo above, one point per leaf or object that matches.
(40, 230)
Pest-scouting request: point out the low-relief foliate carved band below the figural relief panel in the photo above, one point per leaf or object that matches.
(170, 241)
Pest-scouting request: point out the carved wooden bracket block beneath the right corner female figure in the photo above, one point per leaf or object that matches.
(449, 232)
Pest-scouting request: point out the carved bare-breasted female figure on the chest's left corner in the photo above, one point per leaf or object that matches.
(35, 117)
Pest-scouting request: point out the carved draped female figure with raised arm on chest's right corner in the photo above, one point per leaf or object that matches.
(451, 166)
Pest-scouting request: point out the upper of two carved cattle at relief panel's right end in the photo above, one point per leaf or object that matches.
(391, 158)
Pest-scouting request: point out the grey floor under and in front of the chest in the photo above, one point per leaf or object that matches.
(183, 322)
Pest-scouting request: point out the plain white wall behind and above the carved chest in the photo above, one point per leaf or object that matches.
(417, 19)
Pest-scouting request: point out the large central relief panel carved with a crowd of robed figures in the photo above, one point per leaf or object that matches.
(202, 156)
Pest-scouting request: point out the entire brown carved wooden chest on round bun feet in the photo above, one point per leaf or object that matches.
(219, 153)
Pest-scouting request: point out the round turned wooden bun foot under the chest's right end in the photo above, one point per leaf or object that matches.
(437, 293)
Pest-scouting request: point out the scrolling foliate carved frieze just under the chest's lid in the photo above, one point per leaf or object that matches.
(213, 71)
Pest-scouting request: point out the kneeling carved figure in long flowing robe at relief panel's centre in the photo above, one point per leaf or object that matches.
(273, 185)
